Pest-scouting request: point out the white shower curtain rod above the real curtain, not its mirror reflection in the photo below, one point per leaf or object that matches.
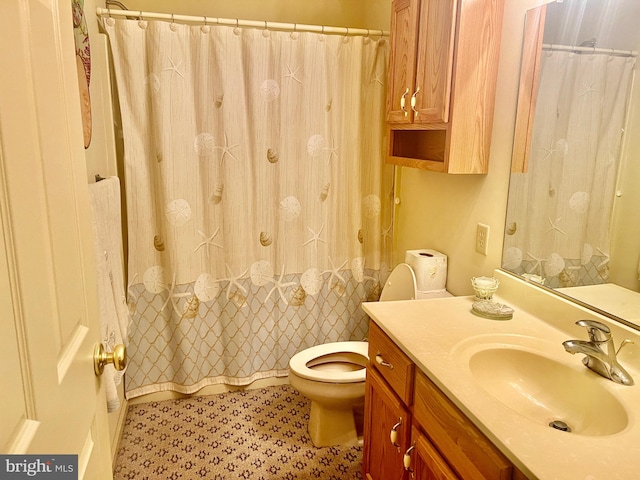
(294, 27)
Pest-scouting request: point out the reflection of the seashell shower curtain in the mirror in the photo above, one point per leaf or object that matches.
(559, 212)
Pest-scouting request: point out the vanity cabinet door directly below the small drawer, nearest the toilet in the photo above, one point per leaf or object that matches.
(383, 412)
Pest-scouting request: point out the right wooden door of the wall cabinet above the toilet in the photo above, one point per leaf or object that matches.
(431, 95)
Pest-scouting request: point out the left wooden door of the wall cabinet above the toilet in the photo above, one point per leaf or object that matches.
(402, 62)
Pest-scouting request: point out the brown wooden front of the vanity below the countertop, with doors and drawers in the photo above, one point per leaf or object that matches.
(433, 438)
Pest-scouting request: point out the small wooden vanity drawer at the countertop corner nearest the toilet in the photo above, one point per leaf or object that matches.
(394, 366)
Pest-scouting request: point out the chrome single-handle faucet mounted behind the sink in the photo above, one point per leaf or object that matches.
(602, 362)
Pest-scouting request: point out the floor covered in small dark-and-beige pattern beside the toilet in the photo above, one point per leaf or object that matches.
(253, 434)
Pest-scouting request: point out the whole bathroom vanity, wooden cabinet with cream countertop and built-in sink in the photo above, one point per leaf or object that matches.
(453, 395)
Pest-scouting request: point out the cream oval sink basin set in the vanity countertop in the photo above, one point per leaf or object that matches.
(544, 390)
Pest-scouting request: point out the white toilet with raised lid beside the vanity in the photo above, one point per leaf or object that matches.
(333, 375)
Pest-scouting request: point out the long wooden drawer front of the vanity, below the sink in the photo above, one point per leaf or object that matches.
(465, 448)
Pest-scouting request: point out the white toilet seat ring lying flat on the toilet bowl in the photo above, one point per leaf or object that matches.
(298, 363)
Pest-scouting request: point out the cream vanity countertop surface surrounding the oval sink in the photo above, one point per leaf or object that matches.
(437, 335)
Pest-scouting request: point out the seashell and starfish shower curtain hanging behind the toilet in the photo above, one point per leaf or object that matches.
(259, 206)
